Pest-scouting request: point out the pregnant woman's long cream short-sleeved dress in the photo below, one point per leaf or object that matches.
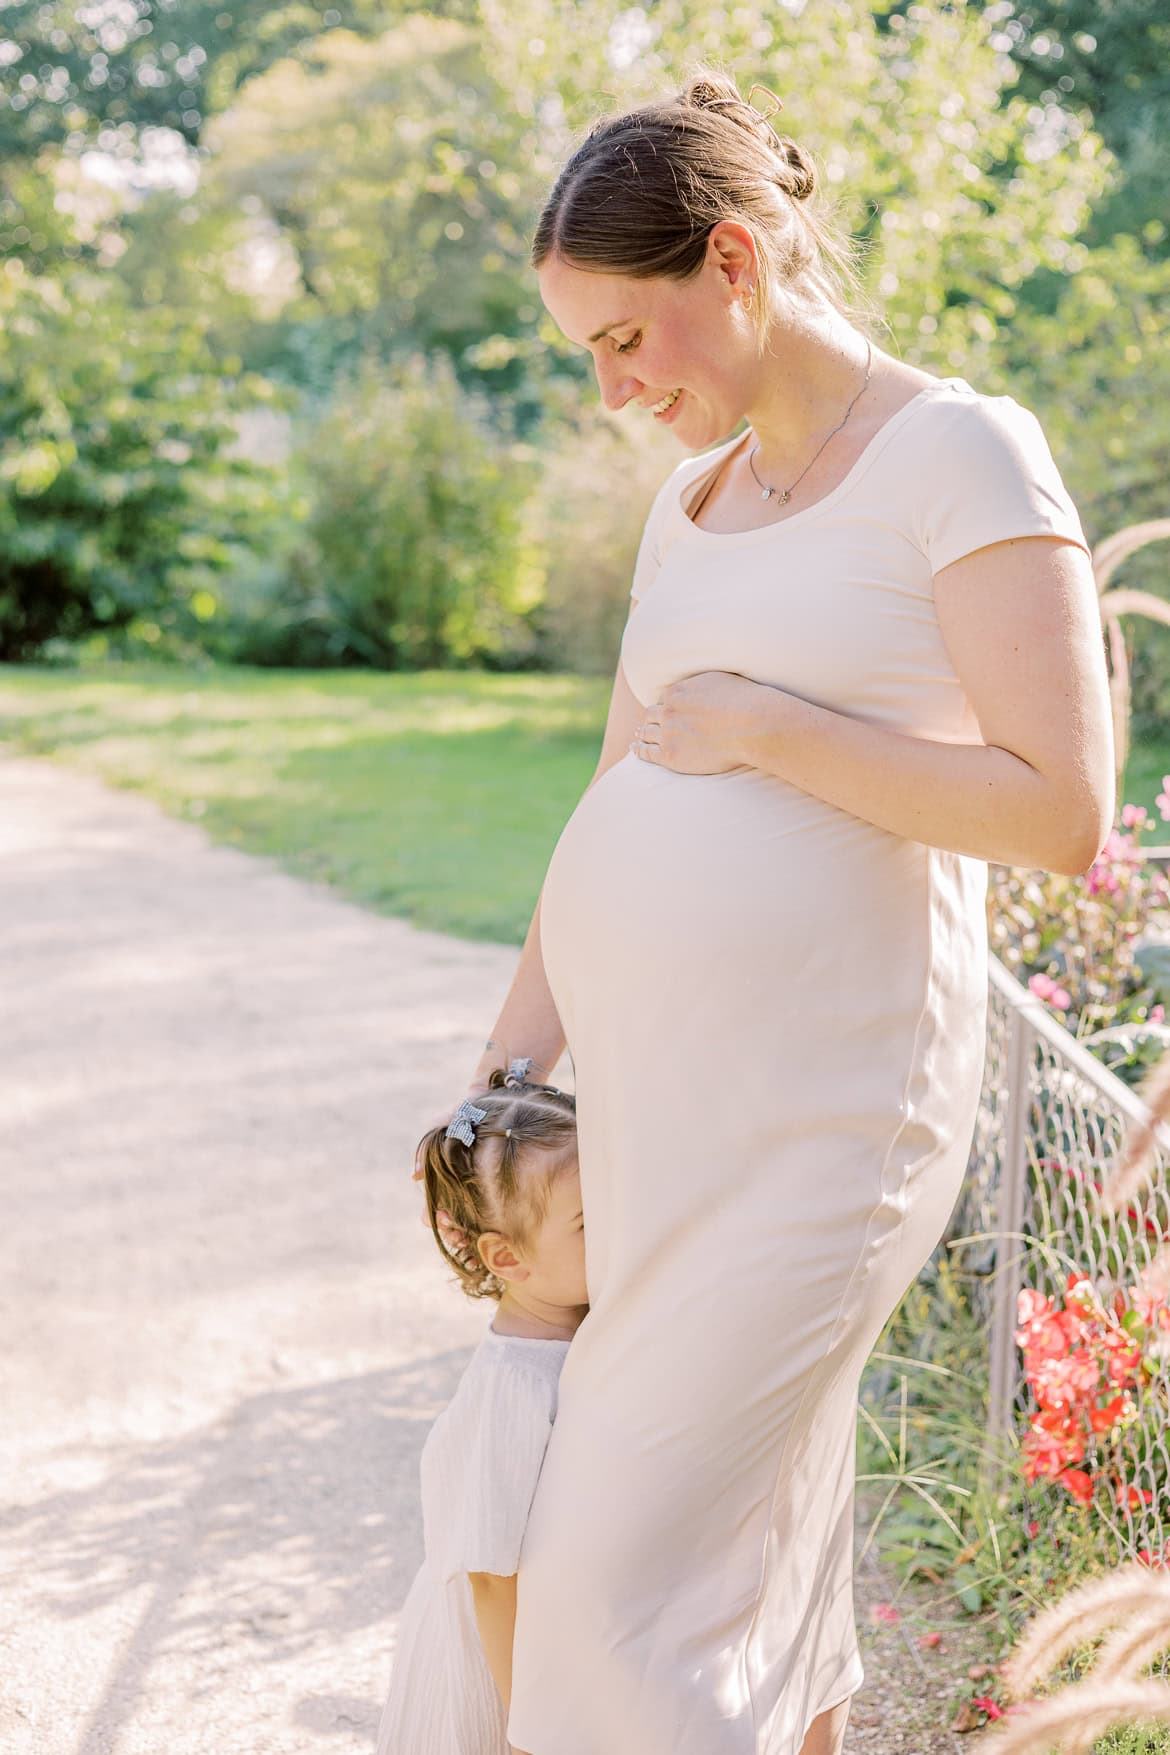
(776, 1021)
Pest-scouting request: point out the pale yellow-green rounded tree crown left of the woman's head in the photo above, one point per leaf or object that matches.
(389, 169)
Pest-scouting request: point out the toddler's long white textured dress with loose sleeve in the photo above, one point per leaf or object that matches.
(478, 1473)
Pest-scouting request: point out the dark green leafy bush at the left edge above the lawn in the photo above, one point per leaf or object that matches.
(120, 506)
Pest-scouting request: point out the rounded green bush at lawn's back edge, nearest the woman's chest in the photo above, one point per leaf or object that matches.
(415, 547)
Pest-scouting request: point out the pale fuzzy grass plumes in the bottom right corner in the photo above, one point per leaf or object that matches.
(1136, 1605)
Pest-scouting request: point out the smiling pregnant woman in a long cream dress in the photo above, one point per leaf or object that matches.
(866, 659)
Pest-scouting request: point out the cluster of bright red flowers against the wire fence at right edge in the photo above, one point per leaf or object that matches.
(1085, 1366)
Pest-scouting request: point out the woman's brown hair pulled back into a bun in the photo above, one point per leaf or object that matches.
(643, 192)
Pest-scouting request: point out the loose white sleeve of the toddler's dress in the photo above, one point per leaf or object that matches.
(492, 1480)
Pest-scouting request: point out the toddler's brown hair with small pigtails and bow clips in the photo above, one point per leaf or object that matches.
(496, 1186)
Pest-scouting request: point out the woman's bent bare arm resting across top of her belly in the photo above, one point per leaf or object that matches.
(1024, 629)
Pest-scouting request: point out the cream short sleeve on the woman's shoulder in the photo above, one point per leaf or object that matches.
(987, 475)
